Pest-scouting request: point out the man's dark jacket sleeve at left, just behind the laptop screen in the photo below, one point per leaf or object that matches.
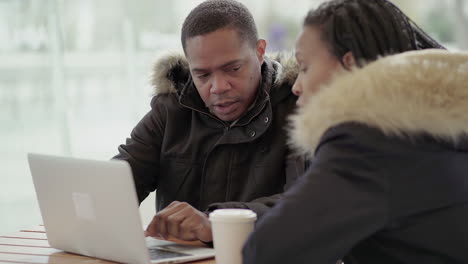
(142, 150)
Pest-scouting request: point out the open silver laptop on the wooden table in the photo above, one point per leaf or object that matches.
(91, 208)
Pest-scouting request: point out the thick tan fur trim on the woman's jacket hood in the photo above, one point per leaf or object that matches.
(410, 93)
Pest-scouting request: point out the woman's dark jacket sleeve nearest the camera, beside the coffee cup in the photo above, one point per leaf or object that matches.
(341, 200)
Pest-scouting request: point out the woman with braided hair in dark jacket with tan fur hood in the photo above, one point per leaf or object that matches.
(389, 141)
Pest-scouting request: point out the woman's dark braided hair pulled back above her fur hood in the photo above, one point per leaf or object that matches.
(367, 28)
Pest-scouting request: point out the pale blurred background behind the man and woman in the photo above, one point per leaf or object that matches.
(74, 75)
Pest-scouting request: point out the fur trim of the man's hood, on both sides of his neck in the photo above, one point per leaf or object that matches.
(171, 71)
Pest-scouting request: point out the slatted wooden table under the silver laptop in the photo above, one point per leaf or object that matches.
(31, 246)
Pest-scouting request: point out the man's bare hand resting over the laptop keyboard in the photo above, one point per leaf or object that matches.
(181, 221)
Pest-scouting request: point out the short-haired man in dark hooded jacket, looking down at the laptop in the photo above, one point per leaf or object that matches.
(215, 136)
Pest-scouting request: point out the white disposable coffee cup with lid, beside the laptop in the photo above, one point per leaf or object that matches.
(230, 228)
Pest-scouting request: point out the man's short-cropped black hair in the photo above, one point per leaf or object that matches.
(212, 15)
